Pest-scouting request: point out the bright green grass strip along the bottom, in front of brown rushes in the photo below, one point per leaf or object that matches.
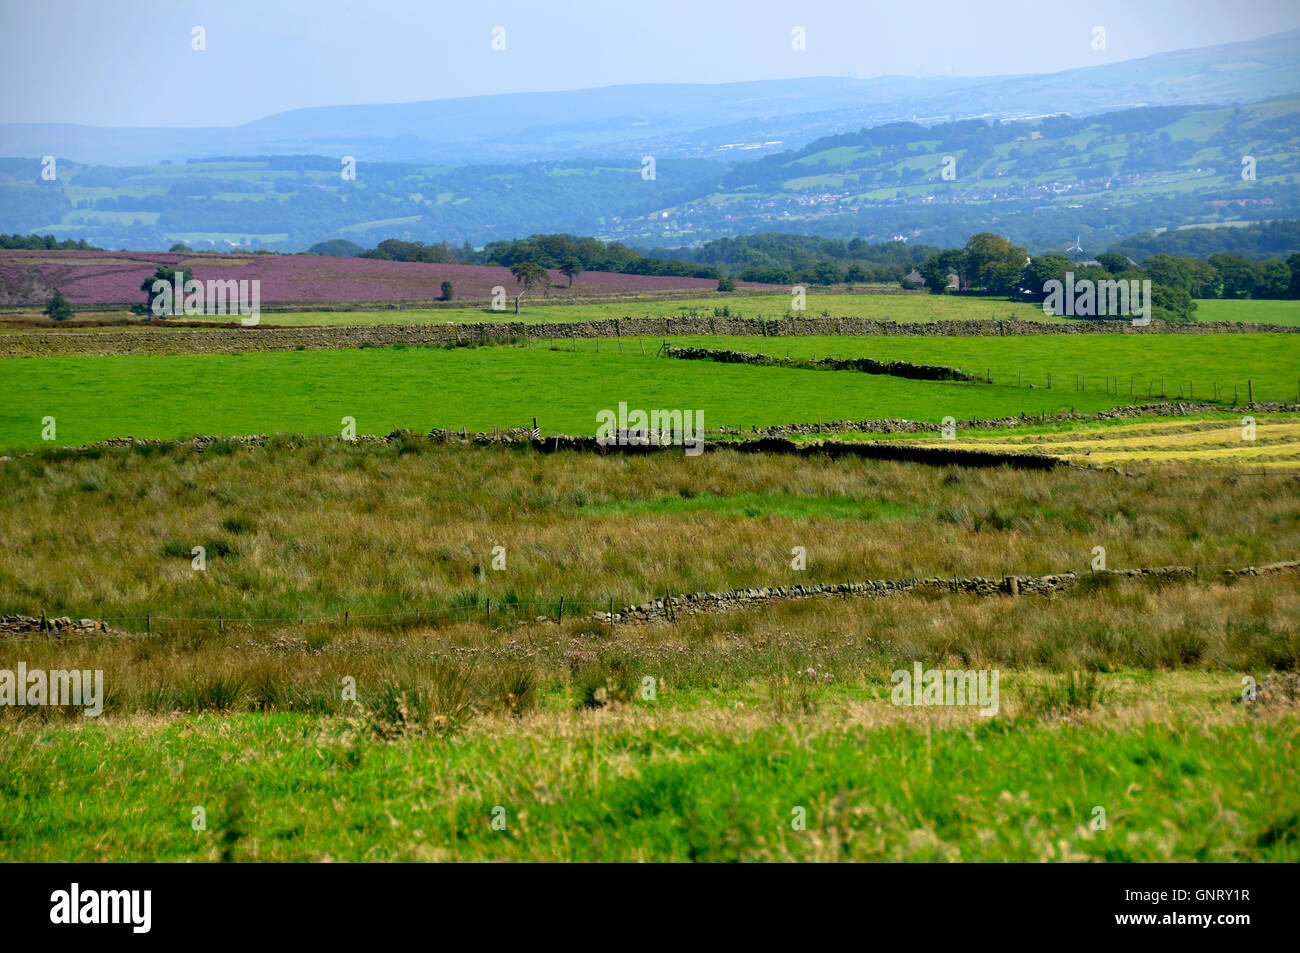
(721, 786)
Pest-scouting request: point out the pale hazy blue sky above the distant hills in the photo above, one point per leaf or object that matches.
(132, 63)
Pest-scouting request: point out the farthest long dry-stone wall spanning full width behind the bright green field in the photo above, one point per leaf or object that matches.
(228, 340)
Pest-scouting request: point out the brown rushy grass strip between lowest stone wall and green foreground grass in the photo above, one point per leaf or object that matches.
(782, 657)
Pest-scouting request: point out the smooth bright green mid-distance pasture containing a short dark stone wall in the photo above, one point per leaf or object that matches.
(385, 389)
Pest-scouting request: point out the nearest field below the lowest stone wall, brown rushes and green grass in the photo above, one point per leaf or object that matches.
(1124, 698)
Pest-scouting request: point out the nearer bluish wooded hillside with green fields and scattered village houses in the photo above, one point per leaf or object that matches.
(1100, 179)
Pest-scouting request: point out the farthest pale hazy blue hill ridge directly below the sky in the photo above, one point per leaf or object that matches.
(709, 122)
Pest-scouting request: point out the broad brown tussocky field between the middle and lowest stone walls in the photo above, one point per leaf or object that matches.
(402, 536)
